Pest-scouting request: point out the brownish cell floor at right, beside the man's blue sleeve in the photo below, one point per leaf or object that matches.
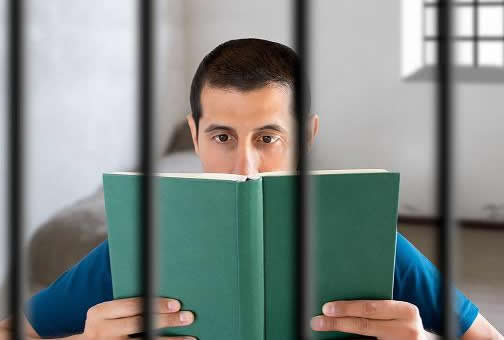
(480, 266)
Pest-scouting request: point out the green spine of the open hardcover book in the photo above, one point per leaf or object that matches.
(250, 245)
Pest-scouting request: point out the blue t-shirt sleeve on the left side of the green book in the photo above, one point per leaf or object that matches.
(60, 309)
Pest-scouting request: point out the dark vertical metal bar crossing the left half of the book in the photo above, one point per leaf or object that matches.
(145, 95)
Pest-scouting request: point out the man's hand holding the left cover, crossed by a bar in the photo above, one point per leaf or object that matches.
(115, 320)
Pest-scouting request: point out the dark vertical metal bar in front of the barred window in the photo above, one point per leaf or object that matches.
(445, 163)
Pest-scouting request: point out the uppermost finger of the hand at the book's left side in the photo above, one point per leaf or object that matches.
(130, 307)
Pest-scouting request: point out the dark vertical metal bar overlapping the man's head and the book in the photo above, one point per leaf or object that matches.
(301, 25)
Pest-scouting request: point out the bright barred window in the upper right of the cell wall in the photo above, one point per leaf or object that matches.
(478, 39)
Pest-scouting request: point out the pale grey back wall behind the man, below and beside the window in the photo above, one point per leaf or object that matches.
(369, 117)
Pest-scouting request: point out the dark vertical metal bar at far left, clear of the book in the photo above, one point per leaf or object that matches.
(16, 154)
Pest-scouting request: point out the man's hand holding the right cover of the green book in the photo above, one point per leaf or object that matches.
(384, 319)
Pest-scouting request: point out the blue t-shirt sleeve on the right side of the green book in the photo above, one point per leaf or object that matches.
(417, 281)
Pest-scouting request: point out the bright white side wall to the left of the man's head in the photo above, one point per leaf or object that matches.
(81, 98)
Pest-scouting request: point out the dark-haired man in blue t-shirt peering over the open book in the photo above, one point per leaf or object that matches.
(242, 123)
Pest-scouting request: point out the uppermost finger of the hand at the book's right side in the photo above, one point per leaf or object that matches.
(371, 309)
